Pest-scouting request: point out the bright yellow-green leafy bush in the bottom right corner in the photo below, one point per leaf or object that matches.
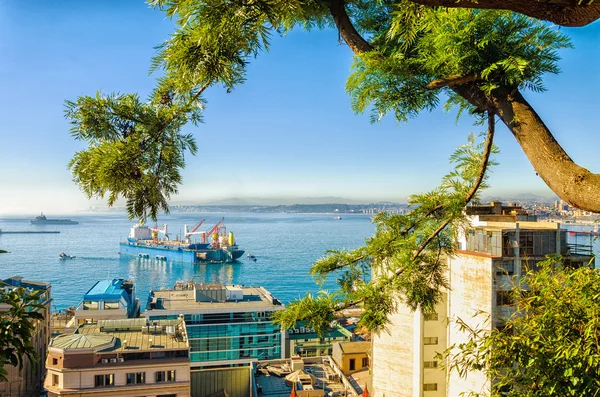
(549, 346)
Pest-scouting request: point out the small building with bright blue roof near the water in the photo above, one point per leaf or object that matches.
(108, 299)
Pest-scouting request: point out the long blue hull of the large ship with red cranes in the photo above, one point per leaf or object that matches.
(179, 254)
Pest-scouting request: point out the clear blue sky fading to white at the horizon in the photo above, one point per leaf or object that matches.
(288, 132)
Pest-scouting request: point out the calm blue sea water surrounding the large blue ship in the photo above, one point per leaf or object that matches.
(285, 246)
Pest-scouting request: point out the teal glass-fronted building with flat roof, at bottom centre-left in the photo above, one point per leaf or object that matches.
(228, 326)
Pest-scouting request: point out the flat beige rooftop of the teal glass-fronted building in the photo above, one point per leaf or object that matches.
(182, 300)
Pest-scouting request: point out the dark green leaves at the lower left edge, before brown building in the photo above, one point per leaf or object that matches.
(20, 312)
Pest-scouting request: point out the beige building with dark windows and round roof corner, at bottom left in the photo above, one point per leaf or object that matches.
(129, 357)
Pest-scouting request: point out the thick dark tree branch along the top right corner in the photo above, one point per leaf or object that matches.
(561, 12)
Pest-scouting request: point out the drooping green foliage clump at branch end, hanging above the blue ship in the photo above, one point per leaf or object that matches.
(135, 149)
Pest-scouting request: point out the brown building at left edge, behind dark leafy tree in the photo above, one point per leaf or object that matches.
(28, 381)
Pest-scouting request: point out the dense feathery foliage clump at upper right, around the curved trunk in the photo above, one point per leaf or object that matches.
(500, 49)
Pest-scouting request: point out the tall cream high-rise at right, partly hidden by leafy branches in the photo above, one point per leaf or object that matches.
(491, 256)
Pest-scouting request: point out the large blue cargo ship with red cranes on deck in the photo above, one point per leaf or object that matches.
(146, 243)
